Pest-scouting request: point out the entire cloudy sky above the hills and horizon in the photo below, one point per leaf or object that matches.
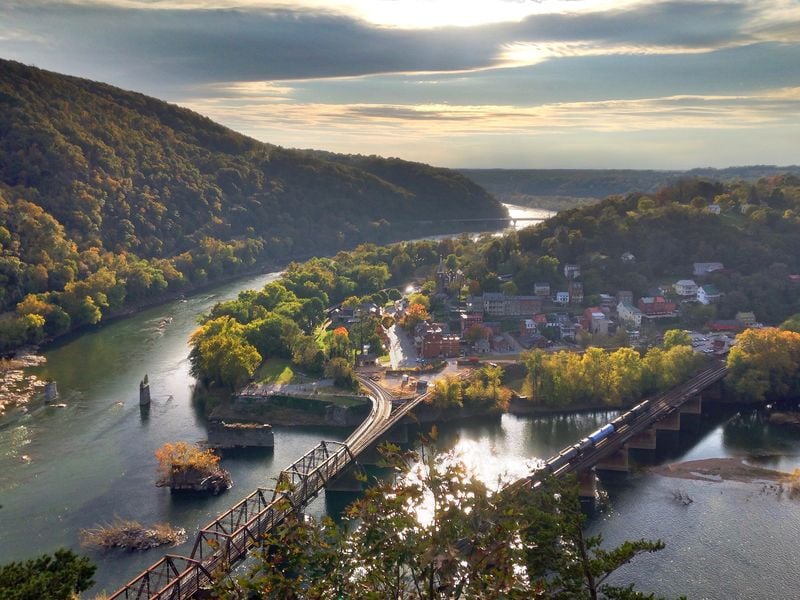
(458, 83)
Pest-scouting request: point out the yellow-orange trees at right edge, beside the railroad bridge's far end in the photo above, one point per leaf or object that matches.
(764, 365)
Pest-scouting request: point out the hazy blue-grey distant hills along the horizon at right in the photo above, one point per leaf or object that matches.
(557, 189)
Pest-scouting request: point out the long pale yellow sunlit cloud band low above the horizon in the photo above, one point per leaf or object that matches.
(426, 121)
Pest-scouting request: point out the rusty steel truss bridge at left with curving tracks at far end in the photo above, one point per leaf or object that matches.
(226, 540)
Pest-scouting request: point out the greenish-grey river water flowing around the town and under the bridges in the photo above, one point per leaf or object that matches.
(66, 468)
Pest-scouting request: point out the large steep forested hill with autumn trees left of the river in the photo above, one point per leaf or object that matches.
(109, 198)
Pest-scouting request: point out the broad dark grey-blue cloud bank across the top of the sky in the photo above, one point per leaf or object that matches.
(140, 42)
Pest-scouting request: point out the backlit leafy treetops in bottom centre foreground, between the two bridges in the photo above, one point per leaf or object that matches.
(437, 531)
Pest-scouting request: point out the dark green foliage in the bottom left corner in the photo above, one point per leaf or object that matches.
(56, 577)
